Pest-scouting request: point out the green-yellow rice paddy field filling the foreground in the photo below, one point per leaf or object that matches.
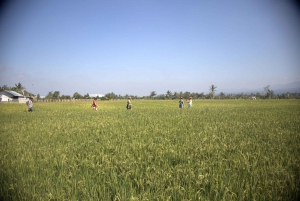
(218, 150)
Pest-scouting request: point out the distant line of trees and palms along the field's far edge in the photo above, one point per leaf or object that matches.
(169, 95)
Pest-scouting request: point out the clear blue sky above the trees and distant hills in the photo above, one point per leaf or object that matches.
(138, 46)
